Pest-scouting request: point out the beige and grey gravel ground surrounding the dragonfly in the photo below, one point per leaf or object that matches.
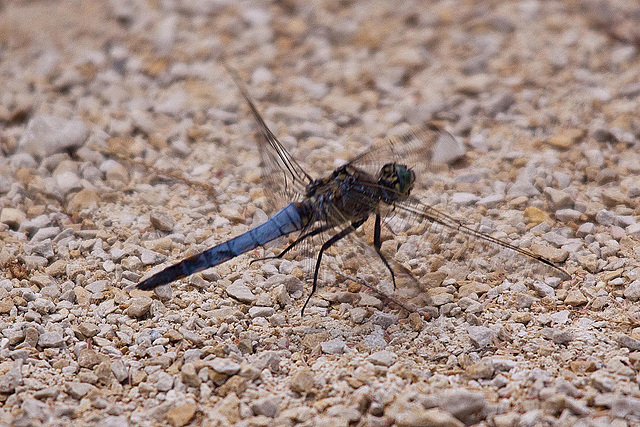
(125, 145)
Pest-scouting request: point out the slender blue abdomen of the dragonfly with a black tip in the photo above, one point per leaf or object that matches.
(285, 221)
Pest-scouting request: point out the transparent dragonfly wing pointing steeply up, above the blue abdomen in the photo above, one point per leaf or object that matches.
(283, 177)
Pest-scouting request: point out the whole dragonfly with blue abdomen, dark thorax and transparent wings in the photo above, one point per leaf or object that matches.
(376, 184)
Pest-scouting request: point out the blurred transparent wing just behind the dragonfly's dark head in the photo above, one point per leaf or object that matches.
(417, 149)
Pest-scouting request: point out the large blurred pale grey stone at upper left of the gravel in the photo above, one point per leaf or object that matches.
(47, 134)
